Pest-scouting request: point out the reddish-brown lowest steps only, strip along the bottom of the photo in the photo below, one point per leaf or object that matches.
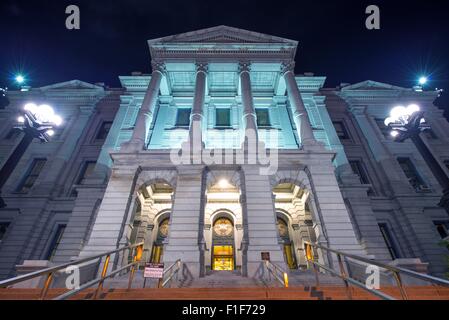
(238, 293)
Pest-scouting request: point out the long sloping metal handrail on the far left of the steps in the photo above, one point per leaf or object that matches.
(50, 272)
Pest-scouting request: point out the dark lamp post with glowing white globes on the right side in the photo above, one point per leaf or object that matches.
(408, 122)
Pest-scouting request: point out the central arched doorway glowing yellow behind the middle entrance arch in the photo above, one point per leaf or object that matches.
(223, 249)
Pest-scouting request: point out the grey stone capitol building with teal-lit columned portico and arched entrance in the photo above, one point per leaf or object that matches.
(220, 158)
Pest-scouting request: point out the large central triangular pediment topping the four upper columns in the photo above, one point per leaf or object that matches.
(221, 34)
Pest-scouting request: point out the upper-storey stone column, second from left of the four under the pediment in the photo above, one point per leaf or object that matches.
(196, 117)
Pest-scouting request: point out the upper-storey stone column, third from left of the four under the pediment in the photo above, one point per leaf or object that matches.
(249, 113)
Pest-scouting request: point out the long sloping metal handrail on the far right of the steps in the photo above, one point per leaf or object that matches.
(342, 274)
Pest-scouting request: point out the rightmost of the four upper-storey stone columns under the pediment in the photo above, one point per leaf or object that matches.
(299, 111)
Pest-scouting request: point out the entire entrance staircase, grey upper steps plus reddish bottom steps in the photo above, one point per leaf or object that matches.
(227, 285)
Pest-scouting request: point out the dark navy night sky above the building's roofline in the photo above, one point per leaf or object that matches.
(333, 41)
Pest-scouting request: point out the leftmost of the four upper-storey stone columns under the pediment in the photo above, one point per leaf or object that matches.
(145, 115)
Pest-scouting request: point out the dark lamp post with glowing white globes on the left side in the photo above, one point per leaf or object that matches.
(36, 122)
